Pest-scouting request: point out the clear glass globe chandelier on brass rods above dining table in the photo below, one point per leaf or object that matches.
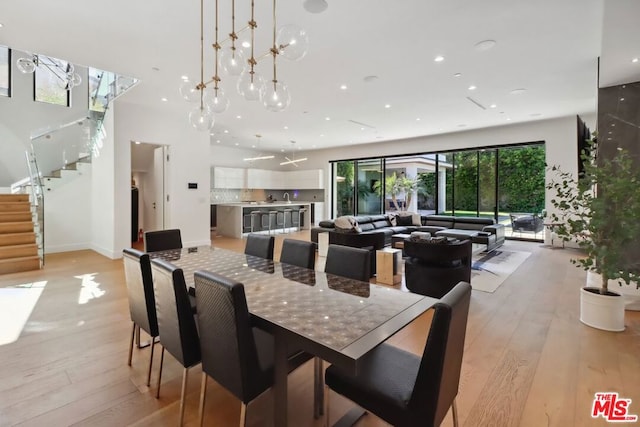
(289, 42)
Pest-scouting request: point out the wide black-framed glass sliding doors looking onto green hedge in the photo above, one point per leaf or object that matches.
(503, 183)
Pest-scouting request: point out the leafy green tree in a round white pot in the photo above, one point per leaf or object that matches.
(599, 212)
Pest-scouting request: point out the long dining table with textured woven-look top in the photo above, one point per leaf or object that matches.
(335, 318)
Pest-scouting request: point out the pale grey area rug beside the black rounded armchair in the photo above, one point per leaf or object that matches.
(488, 271)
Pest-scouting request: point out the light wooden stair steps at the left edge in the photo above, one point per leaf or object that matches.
(18, 248)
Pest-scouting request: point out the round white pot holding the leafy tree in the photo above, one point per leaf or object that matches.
(604, 312)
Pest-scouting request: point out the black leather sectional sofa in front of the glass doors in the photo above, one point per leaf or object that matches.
(375, 231)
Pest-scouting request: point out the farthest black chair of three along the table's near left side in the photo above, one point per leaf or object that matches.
(142, 302)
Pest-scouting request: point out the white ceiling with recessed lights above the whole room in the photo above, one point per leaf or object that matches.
(547, 47)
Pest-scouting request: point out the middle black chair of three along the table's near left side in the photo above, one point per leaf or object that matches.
(176, 322)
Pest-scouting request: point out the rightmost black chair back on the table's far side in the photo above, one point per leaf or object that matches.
(346, 261)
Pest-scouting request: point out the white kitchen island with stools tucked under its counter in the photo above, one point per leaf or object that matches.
(234, 219)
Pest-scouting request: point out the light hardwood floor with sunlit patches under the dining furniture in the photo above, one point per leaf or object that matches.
(528, 360)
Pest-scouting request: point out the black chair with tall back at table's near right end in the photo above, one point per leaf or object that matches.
(406, 390)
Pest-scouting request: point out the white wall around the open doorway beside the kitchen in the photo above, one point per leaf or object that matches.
(189, 152)
